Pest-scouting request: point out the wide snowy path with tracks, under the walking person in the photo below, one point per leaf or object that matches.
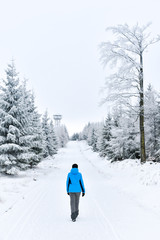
(106, 213)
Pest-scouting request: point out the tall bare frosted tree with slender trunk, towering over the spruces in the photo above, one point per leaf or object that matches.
(125, 53)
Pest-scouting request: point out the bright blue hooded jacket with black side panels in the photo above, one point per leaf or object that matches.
(74, 181)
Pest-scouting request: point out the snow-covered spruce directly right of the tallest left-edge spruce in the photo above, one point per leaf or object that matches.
(31, 135)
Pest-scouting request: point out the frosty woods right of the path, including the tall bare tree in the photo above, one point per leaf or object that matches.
(132, 127)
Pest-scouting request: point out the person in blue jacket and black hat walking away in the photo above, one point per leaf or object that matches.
(74, 187)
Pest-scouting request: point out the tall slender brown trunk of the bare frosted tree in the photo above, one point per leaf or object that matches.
(141, 114)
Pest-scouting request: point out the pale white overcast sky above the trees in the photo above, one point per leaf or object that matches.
(55, 46)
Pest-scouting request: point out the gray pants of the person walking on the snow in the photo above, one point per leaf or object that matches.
(74, 202)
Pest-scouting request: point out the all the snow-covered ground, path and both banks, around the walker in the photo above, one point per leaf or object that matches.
(122, 200)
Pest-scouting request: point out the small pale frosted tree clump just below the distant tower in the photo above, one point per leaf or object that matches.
(61, 135)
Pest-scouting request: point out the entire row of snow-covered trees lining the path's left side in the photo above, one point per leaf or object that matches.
(25, 138)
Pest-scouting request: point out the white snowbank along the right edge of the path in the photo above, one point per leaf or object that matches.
(140, 182)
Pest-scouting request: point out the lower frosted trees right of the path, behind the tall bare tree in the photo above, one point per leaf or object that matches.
(118, 137)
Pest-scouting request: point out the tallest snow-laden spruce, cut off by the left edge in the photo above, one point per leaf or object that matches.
(10, 127)
